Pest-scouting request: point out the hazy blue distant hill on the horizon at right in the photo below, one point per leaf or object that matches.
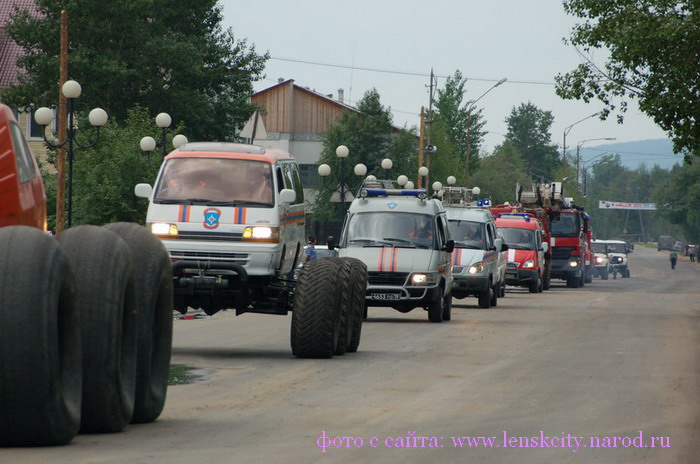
(633, 154)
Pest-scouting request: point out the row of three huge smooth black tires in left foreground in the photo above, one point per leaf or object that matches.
(85, 331)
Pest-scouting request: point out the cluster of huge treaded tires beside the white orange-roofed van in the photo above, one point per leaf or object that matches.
(328, 309)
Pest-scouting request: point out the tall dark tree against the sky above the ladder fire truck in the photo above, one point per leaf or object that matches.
(529, 129)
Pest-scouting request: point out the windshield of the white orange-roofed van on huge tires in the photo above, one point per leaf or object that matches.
(215, 181)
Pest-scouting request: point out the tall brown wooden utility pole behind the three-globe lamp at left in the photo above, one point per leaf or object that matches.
(62, 124)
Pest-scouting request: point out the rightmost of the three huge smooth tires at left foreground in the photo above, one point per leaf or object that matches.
(154, 297)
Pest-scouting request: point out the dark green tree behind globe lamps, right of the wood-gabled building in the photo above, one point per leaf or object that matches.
(368, 135)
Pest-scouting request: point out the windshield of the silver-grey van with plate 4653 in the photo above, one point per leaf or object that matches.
(372, 229)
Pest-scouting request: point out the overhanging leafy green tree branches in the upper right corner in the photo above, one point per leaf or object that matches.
(653, 57)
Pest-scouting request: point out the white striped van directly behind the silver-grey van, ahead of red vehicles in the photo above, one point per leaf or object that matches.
(479, 258)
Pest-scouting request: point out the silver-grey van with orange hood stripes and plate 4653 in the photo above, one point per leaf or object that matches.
(402, 237)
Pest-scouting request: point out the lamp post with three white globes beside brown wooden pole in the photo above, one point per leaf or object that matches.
(97, 117)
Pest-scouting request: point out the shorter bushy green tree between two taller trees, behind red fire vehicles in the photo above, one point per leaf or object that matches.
(500, 173)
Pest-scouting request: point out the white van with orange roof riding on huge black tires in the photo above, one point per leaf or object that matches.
(232, 218)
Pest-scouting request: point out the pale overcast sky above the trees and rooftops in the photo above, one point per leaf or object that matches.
(486, 40)
